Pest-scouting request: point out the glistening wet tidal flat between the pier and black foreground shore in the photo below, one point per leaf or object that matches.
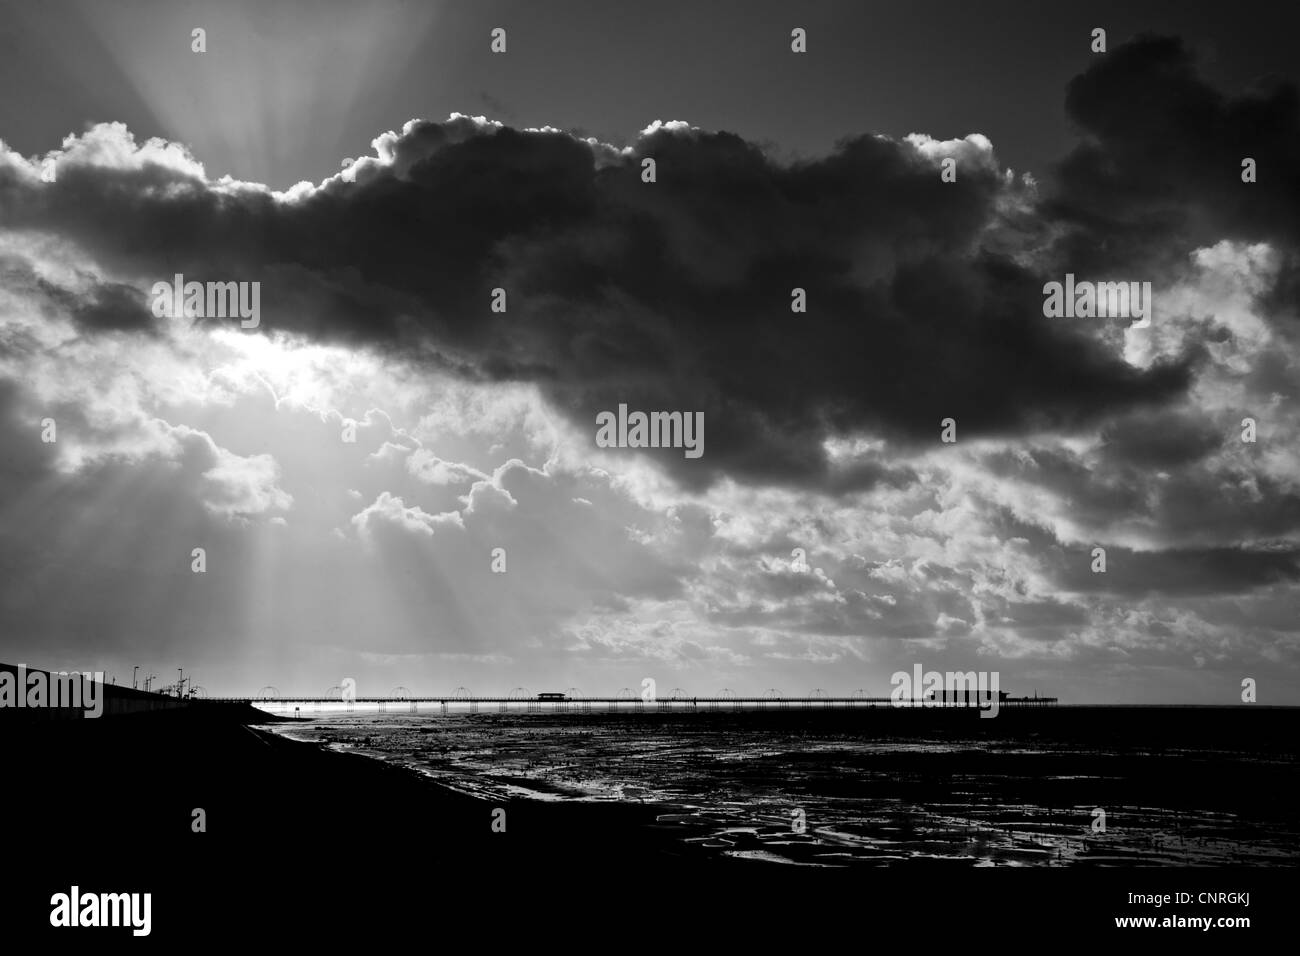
(1051, 788)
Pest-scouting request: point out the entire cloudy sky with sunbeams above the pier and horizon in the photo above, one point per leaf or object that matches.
(352, 465)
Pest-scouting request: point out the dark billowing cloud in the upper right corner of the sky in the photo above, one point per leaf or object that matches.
(1159, 171)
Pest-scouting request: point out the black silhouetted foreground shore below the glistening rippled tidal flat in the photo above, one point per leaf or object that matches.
(306, 845)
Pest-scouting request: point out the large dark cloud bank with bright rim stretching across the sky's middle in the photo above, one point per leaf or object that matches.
(668, 296)
